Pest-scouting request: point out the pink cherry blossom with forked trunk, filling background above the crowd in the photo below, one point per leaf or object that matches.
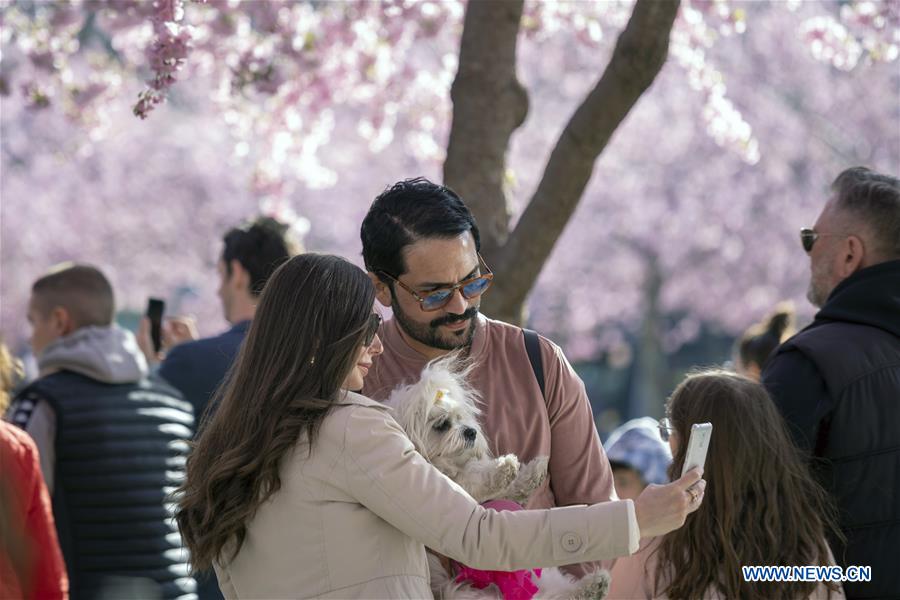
(689, 222)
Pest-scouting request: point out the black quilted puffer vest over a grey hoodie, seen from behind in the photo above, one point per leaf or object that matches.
(120, 450)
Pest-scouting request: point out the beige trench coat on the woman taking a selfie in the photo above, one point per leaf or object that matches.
(353, 519)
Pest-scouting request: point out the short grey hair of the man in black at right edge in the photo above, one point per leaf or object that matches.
(875, 199)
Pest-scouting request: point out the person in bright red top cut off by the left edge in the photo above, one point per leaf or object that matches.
(31, 563)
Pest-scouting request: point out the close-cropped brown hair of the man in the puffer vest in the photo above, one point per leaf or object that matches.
(81, 289)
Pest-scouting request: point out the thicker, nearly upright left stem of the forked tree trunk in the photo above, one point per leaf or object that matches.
(489, 104)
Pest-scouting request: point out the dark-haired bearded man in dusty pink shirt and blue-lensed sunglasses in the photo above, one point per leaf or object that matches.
(421, 248)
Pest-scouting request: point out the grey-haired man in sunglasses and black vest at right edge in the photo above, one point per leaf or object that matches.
(837, 382)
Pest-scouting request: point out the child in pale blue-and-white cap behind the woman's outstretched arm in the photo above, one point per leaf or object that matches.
(638, 456)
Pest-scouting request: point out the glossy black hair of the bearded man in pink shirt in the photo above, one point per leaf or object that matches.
(406, 212)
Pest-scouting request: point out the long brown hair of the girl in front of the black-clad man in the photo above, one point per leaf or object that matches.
(761, 506)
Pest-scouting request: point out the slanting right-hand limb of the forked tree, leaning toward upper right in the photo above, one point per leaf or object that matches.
(640, 53)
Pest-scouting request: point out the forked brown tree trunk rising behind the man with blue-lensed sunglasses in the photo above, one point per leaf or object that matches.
(489, 104)
